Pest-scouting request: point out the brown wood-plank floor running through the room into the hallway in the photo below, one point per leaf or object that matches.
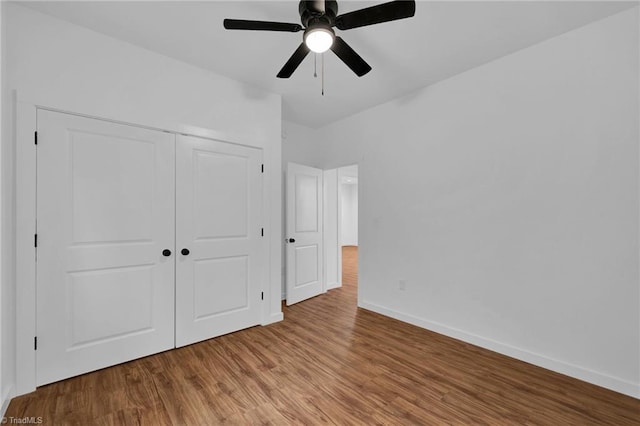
(327, 362)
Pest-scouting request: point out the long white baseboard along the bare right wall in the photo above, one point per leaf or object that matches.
(590, 376)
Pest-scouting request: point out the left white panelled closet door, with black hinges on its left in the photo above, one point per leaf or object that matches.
(105, 291)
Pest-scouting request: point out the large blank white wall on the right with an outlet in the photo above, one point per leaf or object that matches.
(507, 198)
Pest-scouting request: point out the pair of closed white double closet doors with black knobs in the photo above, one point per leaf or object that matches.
(118, 207)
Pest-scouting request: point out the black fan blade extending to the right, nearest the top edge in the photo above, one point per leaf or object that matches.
(385, 12)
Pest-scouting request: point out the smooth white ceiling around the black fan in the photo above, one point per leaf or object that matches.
(443, 39)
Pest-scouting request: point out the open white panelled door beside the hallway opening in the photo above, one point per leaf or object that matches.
(304, 233)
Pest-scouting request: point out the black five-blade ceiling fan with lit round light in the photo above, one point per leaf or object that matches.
(318, 19)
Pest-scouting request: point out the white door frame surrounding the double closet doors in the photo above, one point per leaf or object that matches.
(25, 125)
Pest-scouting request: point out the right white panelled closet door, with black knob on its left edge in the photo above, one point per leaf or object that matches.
(219, 238)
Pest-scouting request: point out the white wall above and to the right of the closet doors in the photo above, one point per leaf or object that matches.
(60, 65)
